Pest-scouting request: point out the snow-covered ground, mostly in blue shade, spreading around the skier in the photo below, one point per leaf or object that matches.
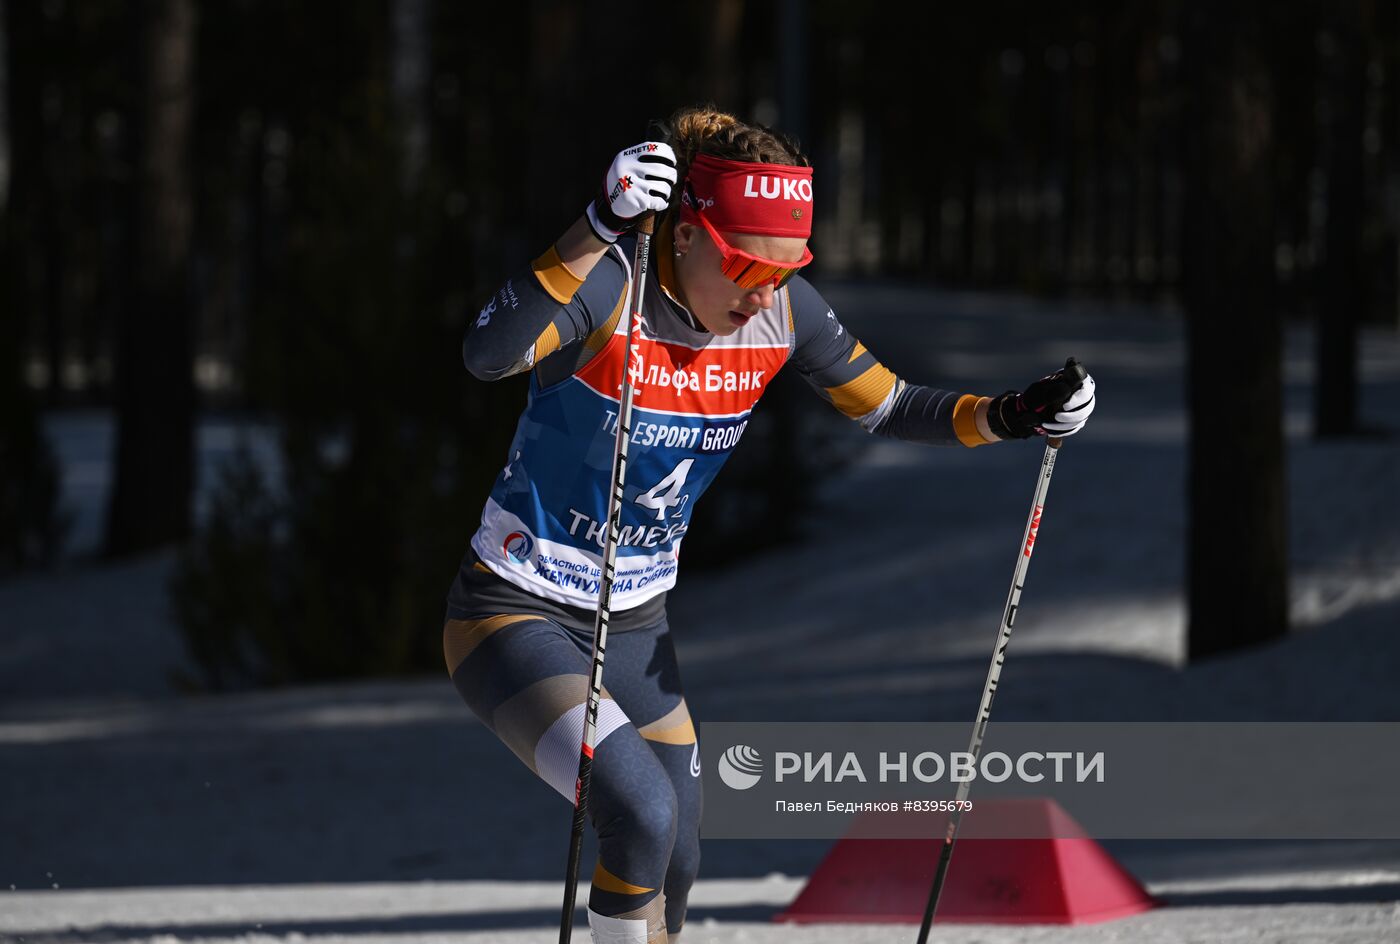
(384, 813)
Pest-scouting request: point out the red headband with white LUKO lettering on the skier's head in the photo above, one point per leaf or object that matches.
(750, 197)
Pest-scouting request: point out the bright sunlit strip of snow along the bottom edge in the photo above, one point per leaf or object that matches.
(722, 912)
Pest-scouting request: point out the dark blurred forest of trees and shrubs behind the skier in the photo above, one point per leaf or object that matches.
(293, 211)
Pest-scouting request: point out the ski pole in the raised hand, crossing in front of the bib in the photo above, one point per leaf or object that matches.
(619, 476)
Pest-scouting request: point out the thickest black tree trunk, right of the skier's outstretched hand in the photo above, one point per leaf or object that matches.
(1237, 546)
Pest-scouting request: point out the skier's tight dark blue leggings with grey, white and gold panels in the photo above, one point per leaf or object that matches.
(526, 677)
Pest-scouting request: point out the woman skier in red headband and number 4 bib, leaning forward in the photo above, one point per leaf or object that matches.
(724, 309)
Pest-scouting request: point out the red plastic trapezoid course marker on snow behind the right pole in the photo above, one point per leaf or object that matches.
(1056, 880)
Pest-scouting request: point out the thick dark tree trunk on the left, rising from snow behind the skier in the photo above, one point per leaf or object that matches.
(150, 502)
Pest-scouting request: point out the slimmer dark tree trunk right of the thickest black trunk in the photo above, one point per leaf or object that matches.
(1343, 295)
